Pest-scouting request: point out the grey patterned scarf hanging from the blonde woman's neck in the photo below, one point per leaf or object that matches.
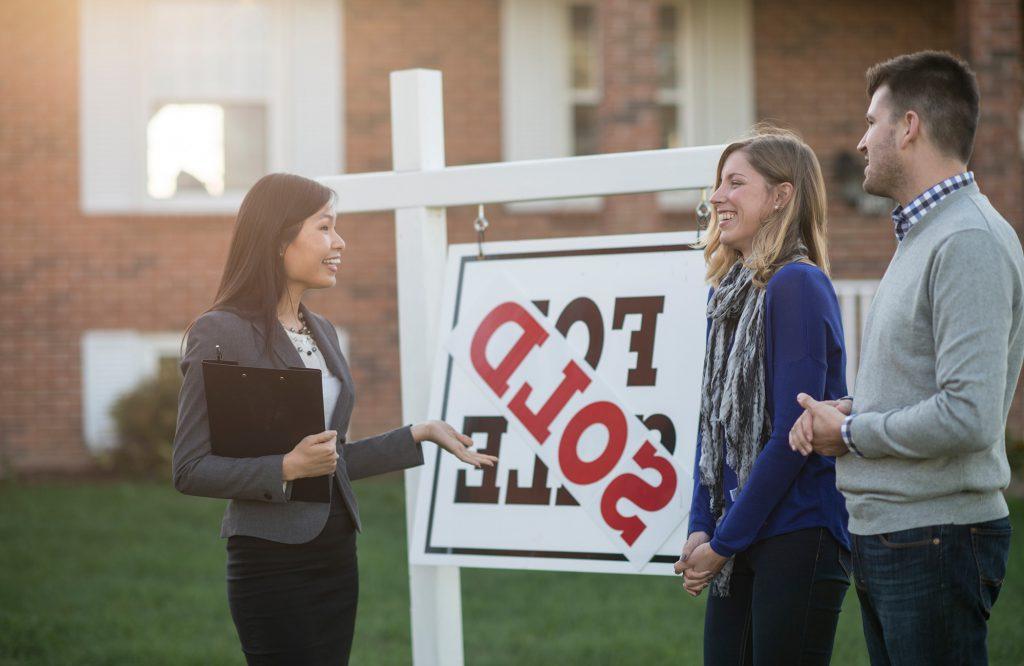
(735, 421)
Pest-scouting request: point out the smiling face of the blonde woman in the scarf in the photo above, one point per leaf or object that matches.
(742, 202)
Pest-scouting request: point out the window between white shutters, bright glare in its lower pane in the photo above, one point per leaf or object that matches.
(209, 94)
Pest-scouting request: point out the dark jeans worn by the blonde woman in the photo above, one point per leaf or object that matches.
(785, 599)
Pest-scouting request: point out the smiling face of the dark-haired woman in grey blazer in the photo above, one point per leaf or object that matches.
(314, 258)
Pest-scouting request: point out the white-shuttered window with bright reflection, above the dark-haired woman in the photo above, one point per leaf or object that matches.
(187, 103)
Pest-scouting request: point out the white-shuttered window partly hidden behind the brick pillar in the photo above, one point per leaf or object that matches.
(551, 79)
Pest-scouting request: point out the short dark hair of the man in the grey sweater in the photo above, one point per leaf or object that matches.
(942, 89)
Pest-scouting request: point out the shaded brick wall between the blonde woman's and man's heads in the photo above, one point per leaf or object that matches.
(812, 59)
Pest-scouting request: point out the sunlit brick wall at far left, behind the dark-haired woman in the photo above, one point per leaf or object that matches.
(61, 273)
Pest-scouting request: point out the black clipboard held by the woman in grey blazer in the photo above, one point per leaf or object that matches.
(264, 411)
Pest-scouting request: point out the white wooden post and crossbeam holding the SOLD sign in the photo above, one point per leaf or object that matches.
(419, 190)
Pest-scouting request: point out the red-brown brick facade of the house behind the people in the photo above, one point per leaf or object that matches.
(64, 272)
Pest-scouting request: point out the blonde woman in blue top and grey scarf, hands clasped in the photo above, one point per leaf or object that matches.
(767, 530)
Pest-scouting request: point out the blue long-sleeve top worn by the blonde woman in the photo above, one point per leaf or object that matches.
(786, 492)
